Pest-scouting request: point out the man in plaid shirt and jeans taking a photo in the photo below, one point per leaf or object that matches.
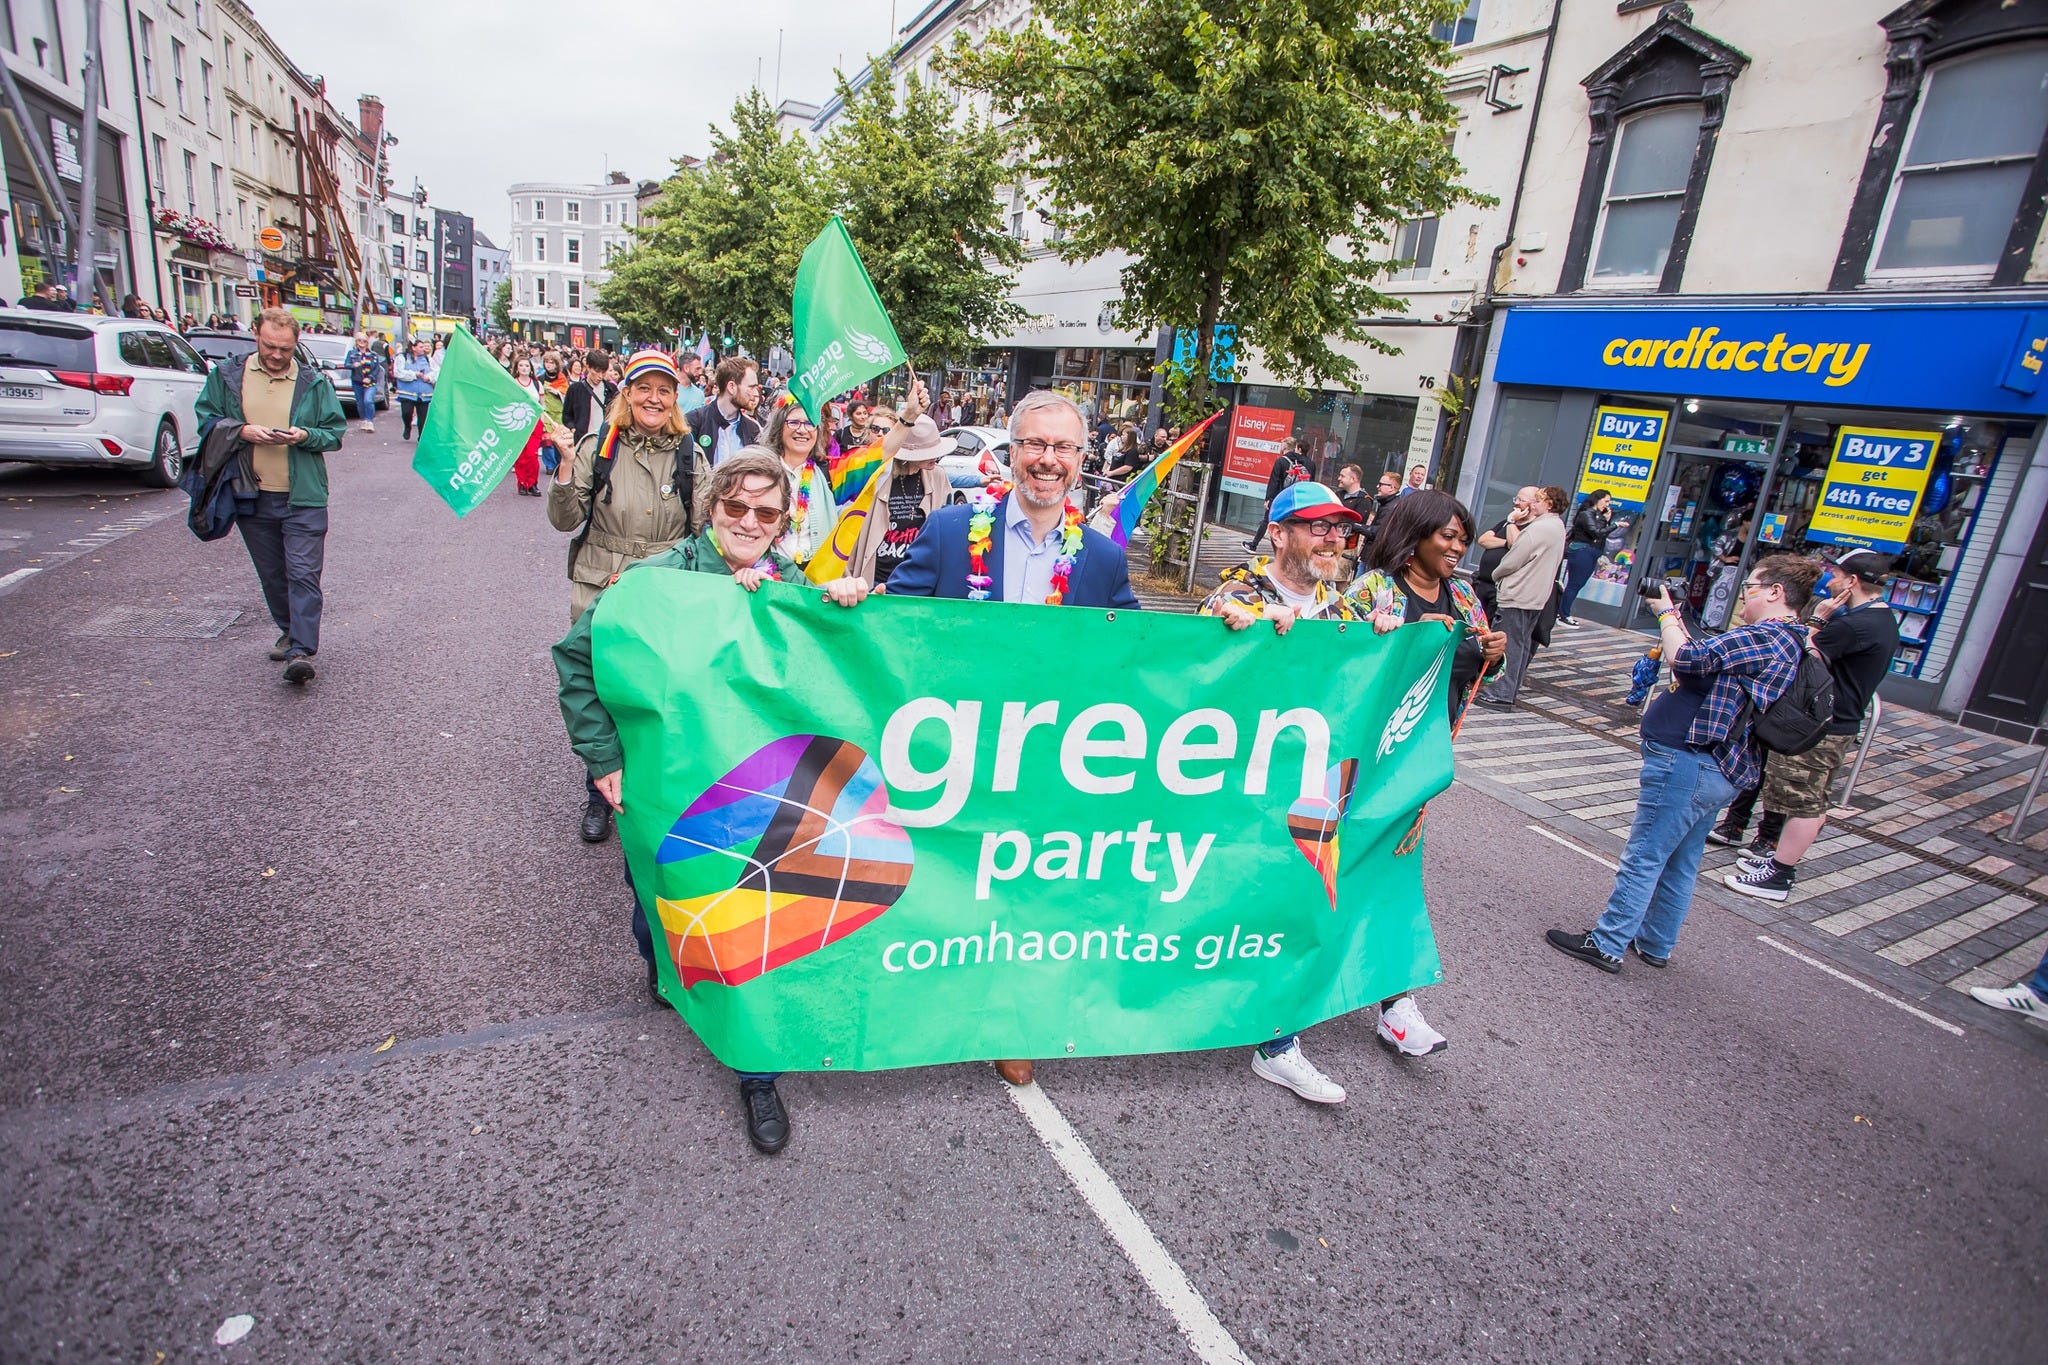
(1699, 752)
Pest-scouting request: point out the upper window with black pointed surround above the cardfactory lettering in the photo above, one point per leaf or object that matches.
(1656, 112)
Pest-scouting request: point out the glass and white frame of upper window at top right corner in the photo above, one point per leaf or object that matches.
(1965, 167)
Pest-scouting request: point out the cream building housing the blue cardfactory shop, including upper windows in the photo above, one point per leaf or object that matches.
(1764, 236)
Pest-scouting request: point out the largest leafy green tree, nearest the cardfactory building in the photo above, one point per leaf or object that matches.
(1252, 157)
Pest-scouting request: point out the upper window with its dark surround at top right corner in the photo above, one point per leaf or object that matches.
(1957, 171)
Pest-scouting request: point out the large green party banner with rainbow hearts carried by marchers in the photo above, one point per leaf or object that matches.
(931, 832)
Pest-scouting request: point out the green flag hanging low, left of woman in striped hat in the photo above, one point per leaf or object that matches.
(476, 427)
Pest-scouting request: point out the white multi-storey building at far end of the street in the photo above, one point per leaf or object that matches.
(564, 238)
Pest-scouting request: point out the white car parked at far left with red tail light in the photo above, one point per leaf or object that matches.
(108, 392)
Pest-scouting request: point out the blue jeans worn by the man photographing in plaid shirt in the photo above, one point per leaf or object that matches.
(1678, 801)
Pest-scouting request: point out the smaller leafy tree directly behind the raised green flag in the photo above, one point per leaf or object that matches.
(916, 187)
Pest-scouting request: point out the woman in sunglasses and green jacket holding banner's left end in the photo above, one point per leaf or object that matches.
(742, 509)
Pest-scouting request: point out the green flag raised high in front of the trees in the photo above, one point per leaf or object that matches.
(843, 337)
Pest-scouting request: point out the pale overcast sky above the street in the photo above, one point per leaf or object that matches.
(488, 93)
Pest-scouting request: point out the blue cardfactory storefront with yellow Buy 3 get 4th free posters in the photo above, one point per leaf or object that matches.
(1725, 433)
